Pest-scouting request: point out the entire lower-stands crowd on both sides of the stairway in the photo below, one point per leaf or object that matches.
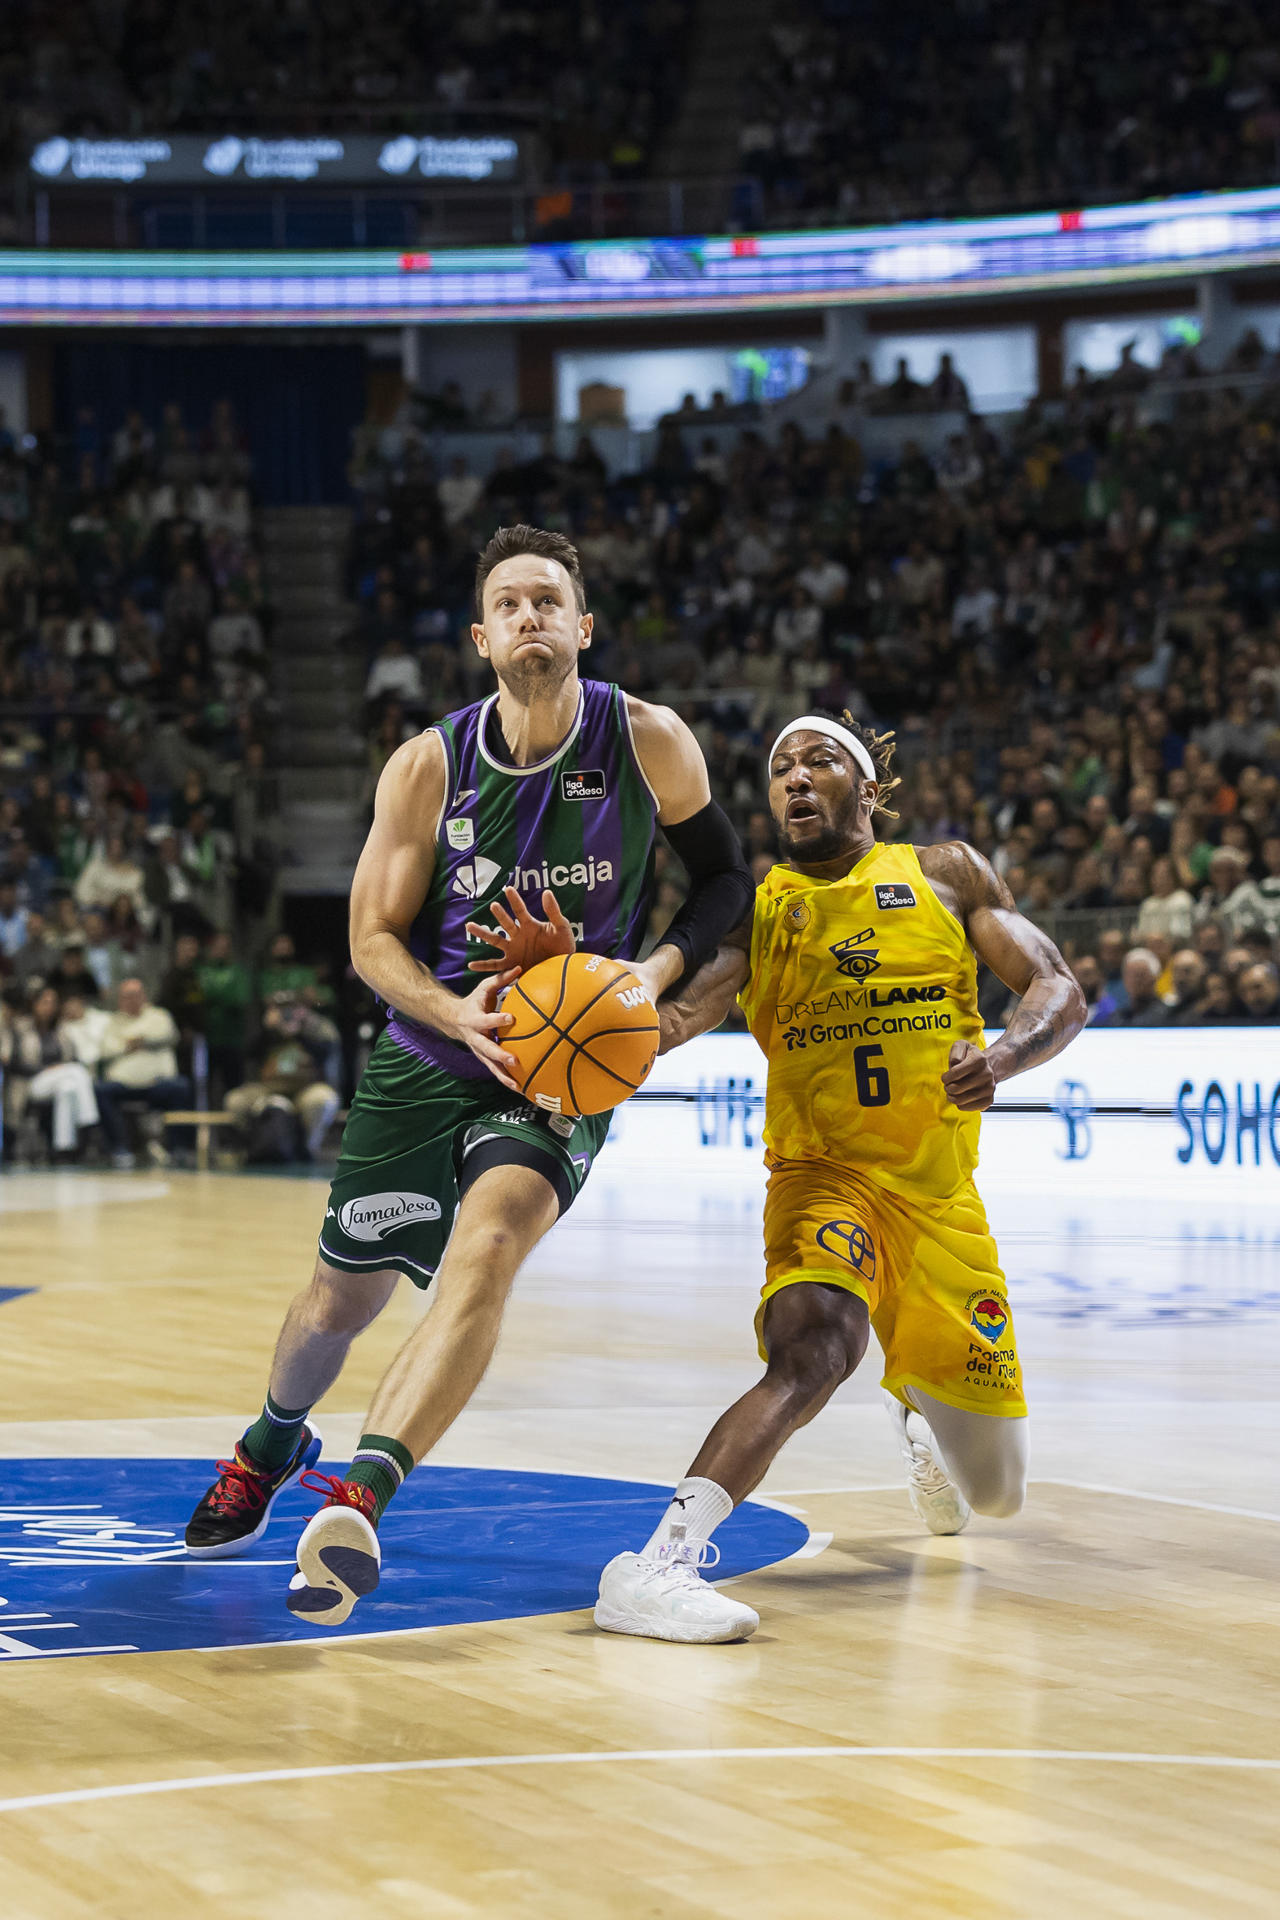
(1068, 619)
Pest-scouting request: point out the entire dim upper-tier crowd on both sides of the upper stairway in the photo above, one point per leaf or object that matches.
(851, 110)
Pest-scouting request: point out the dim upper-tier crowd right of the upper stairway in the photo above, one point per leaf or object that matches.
(865, 110)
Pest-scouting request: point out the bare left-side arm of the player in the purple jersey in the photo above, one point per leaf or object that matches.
(389, 890)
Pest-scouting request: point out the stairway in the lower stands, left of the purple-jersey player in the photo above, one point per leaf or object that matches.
(320, 686)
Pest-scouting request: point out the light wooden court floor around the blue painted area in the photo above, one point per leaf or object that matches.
(1066, 1716)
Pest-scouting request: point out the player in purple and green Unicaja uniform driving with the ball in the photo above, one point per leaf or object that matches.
(544, 794)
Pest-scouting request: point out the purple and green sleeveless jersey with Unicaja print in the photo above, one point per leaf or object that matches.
(579, 823)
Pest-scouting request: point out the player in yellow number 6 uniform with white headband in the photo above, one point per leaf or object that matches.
(857, 976)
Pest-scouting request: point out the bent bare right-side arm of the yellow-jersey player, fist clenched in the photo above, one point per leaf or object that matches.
(1053, 1007)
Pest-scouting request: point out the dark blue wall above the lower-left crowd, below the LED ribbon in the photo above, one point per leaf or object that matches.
(296, 404)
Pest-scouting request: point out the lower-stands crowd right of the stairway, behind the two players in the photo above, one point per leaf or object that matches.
(1070, 623)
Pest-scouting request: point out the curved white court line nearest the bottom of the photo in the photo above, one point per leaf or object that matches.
(279, 1775)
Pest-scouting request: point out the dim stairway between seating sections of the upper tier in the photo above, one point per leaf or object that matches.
(703, 137)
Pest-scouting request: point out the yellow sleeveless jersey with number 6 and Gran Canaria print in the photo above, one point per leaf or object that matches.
(859, 990)
